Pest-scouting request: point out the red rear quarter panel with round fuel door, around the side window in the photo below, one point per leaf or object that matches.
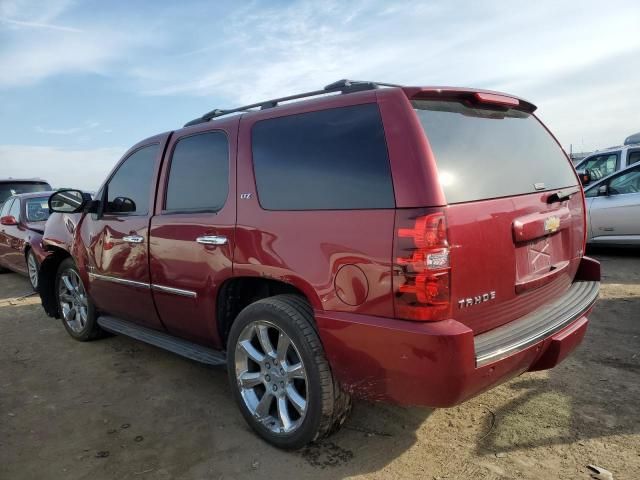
(307, 249)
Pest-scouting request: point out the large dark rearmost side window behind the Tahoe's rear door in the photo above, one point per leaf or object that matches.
(333, 159)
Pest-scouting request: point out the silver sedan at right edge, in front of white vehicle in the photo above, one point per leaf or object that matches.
(613, 208)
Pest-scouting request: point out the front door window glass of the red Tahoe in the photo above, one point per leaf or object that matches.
(129, 189)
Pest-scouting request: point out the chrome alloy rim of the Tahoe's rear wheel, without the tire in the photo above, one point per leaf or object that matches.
(271, 377)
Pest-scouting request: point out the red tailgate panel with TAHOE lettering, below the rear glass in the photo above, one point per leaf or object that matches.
(485, 257)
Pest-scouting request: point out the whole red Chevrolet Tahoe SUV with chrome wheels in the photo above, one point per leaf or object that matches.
(403, 244)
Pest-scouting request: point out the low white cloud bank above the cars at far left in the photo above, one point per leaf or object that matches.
(84, 169)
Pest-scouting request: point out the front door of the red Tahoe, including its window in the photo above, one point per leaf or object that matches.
(118, 257)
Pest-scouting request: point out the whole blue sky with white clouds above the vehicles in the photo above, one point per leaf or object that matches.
(82, 81)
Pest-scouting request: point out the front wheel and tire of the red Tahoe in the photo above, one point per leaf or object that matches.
(76, 309)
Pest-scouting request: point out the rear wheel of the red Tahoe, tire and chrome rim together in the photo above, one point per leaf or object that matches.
(279, 374)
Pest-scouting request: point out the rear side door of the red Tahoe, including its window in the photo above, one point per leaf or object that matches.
(192, 233)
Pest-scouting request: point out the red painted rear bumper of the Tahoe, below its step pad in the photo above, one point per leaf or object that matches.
(430, 364)
